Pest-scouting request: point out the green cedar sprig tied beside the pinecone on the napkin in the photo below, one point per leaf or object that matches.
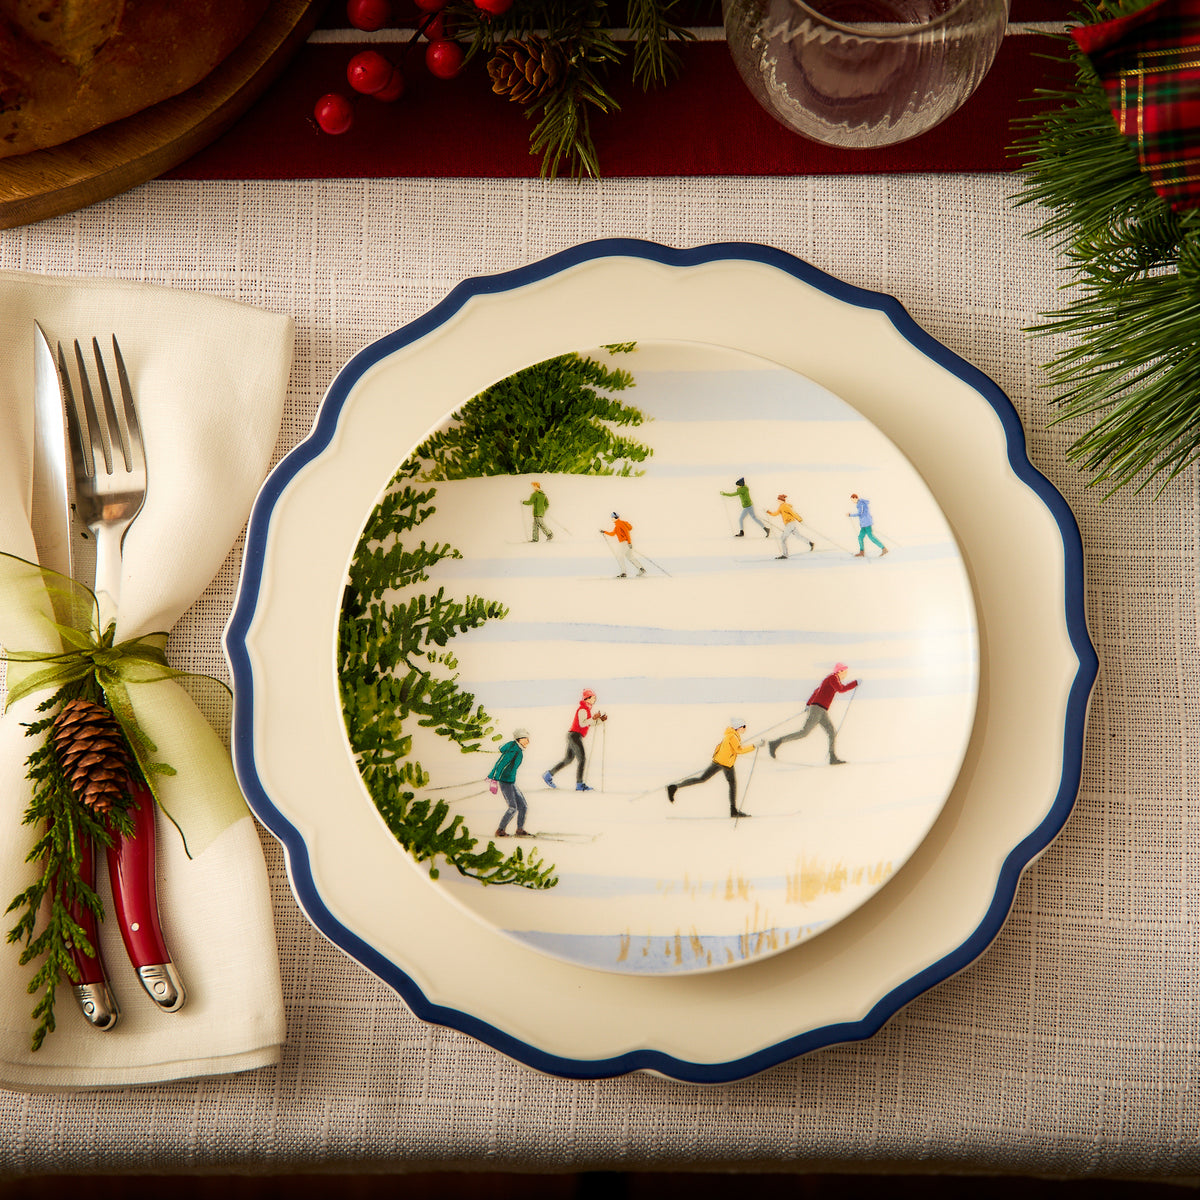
(67, 826)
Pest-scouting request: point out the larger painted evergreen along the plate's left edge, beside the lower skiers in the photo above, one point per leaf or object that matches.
(395, 669)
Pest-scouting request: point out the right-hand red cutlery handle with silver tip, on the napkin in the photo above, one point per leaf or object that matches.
(131, 871)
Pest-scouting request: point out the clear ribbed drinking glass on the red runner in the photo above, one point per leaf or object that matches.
(863, 73)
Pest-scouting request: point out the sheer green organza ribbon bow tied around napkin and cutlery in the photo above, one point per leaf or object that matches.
(50, 608)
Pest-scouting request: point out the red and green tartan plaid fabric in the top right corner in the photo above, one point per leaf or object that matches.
(1150, 67)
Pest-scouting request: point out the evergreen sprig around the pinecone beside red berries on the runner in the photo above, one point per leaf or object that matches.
(562, 136)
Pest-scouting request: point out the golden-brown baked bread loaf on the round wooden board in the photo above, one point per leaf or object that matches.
(70, 67)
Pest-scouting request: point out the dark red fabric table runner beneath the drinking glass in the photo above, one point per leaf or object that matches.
(706, 123)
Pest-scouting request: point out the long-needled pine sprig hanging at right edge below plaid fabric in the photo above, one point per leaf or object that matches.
(1132, 365)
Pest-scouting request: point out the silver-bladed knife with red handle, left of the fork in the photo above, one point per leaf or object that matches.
(51, 519)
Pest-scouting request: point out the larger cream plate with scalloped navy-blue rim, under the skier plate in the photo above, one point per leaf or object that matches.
(1019, 775)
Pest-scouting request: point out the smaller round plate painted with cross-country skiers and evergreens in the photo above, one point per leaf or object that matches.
(613, 671)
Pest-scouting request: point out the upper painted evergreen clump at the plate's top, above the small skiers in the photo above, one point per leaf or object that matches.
(557, 416)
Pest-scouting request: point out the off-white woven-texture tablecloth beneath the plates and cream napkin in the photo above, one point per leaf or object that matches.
(1067, 1049)
